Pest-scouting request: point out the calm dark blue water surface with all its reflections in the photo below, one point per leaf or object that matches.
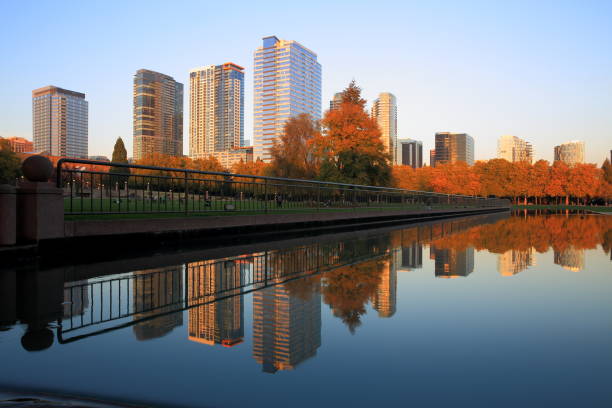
(484, 311)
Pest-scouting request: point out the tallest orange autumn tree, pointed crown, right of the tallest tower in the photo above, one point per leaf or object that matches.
(350, 147)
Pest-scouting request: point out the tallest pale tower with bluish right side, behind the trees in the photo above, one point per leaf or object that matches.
(287, 82)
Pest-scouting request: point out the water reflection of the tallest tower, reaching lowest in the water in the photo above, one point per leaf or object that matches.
(286, 328)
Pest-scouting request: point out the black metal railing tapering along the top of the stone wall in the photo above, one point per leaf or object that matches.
(117, 188)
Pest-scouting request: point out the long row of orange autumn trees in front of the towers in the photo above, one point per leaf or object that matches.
(346, 147)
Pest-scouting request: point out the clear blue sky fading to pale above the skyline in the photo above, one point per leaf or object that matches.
(541, 70)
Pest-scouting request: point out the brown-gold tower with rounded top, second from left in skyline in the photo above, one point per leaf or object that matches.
(158, 114)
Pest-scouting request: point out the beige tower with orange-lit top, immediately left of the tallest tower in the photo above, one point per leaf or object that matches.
(216, 106)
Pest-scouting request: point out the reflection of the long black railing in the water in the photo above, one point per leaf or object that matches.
(145, 295)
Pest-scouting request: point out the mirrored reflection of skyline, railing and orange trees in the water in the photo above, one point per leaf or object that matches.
(346, 274)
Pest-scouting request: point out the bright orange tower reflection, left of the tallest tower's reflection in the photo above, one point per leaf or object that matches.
(216, 321)
